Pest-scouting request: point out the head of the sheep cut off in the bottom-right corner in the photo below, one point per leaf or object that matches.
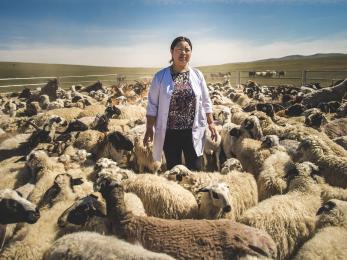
(332, 213)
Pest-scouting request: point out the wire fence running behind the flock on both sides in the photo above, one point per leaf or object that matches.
(267, 77)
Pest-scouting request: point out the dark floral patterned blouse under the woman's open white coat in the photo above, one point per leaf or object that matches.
(182, 103)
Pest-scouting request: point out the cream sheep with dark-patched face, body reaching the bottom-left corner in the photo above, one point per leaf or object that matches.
(33, 244)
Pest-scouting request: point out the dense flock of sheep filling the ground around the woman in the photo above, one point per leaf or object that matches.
(76, 181)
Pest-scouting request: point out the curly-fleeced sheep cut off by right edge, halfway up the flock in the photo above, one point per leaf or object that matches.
(332, 168)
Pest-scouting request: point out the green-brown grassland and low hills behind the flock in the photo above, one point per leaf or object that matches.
(324, 68)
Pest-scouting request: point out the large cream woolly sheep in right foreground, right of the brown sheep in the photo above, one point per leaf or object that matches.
(290, 218)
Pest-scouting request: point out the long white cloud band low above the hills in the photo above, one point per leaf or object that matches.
(206, 51)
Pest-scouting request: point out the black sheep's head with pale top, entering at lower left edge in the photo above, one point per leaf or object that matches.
(14, 208)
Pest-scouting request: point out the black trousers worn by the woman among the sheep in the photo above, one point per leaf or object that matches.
(176, 142)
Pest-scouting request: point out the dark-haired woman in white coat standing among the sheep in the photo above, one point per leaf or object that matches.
(179, 108)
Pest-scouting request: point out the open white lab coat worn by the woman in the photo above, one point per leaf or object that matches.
(159, 102)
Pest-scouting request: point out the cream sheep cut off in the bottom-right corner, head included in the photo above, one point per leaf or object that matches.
(328, 242)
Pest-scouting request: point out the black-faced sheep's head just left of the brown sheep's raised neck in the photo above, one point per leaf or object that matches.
(82, 210)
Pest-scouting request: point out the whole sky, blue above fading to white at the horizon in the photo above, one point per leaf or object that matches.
(139, 32)
